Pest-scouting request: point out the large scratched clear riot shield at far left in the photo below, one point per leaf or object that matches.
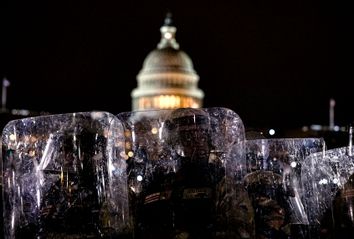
(63, 177)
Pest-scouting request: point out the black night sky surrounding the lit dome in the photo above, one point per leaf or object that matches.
(275, 63)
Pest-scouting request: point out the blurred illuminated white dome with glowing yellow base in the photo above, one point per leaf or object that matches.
(168, 79)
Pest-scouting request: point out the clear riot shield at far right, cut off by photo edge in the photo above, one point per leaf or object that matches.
(329, 183)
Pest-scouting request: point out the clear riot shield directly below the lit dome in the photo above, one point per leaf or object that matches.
(182, 167)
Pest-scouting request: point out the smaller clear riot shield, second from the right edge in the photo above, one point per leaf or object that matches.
(275, 187)
